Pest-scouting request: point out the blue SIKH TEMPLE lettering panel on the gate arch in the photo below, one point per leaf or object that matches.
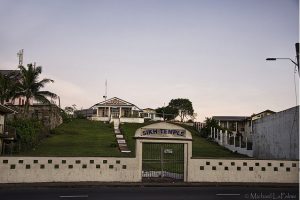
(163, 132)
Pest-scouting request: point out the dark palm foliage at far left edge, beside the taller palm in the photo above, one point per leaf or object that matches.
(7, 86)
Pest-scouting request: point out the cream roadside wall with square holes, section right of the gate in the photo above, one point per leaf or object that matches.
(264, 171)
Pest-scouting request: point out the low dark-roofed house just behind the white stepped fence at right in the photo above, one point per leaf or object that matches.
(235, 124)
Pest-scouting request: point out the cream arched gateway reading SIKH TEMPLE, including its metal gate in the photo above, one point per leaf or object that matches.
(164, 150)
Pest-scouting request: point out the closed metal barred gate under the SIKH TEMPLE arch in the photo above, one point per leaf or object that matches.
(163, 162)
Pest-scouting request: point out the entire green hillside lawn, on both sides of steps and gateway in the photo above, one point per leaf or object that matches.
(91, 138)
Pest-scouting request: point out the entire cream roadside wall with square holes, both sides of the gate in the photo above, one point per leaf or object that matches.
(75, 169)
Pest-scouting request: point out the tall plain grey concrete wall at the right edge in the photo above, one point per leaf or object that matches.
(277, 136)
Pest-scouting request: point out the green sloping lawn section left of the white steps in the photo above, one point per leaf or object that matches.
(79, 138)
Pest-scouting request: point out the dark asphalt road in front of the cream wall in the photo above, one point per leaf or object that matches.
(147, 193)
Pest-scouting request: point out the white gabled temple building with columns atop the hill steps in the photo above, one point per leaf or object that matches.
(116, 108)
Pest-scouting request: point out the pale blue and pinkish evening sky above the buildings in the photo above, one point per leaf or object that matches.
(211, 52)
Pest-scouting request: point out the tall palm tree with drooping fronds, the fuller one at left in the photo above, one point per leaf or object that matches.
(29, 86)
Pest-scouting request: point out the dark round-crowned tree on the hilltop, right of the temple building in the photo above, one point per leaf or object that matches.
(184, 107)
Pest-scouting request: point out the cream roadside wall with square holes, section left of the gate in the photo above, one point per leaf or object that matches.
(67, 169)
